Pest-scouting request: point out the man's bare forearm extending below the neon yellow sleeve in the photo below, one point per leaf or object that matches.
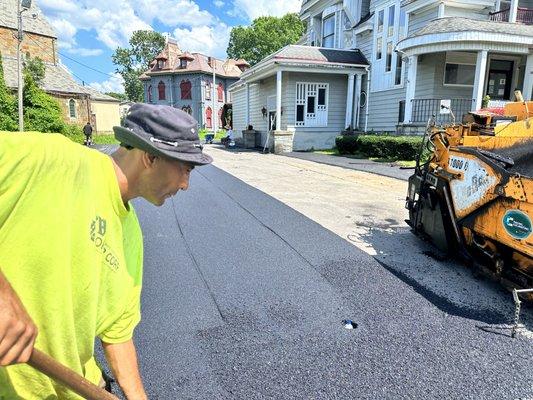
(122, 359)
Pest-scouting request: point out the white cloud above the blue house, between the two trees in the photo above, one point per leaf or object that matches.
(210, 40)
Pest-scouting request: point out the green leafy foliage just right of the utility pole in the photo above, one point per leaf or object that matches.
(41, 111)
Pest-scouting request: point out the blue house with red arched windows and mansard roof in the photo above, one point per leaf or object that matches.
(184, 80)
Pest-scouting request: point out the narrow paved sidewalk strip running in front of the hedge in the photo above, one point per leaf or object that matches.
(385, 169)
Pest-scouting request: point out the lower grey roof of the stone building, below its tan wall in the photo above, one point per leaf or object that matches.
(56, 79)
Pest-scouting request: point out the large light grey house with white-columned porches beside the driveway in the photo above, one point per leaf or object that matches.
(415, 56)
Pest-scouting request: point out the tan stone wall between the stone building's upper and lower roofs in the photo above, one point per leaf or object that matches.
(32, 46)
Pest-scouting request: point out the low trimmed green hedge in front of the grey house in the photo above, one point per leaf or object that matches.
(390, 147)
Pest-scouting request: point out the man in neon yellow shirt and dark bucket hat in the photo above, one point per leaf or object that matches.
(71, 245)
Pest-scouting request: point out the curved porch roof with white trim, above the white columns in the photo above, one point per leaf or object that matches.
(456, 33)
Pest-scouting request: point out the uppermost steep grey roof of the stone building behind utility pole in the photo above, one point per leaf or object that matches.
(38, 25)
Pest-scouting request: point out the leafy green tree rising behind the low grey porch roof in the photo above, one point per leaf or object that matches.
(265, 36)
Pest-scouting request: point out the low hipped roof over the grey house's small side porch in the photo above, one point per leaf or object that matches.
(306, 59)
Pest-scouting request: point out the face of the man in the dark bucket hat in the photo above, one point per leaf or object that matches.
(164, 178)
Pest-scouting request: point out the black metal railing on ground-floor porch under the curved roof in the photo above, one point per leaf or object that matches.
(423, 109)
